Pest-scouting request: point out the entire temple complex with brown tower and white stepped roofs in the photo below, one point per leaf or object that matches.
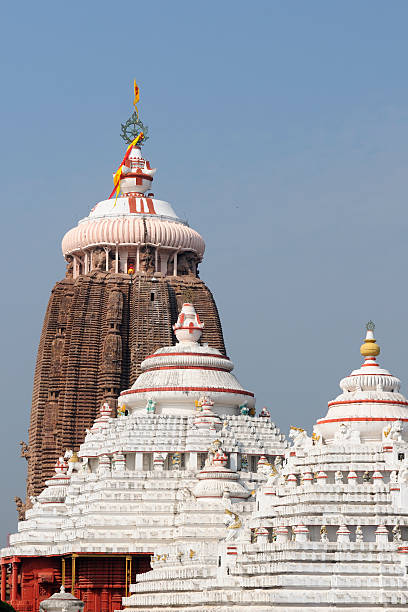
(154, 484)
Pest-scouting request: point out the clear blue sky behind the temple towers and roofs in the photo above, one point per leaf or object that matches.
(279, 129)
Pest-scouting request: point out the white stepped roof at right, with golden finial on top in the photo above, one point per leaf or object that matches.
(329, 529)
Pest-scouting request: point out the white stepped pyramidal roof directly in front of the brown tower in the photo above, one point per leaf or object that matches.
(174, 473)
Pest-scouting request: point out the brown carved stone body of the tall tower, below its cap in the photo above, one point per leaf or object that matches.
(97, 330)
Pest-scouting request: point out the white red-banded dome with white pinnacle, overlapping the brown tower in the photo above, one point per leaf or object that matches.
(176, 374)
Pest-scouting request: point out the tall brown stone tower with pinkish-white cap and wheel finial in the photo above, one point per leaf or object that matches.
(131, 263)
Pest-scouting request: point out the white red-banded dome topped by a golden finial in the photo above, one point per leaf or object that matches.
(370, 399)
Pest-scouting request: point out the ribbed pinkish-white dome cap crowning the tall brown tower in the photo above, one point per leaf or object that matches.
(116, 229)
